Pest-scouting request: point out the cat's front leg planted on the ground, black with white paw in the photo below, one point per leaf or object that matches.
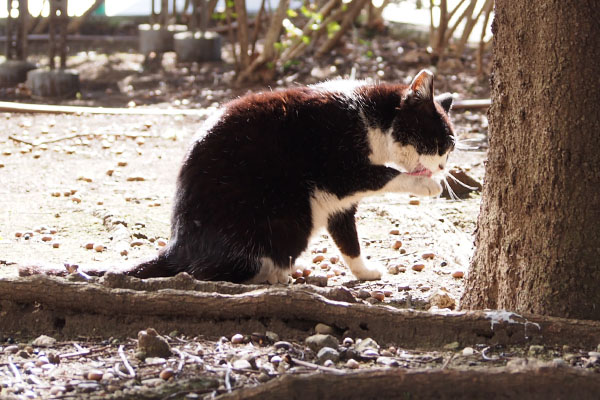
(342, 228)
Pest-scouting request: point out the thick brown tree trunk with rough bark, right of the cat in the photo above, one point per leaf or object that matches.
(538, 239)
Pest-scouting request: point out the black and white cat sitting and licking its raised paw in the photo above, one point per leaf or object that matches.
(273, 168)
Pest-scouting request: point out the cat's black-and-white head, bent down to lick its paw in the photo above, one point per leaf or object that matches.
(422, 129)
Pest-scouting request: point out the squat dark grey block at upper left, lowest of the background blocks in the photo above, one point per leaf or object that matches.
(53, 82)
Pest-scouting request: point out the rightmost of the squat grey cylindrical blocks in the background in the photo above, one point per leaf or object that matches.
(197, 46)
